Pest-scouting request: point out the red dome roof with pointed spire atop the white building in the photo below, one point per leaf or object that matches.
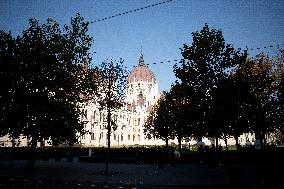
(141, 72)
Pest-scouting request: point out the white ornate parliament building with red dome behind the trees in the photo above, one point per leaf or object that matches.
(141, 95)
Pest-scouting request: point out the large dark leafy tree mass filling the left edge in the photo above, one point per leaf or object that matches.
(46, 81)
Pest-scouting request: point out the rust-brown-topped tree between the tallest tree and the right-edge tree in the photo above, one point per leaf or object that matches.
(257, 75)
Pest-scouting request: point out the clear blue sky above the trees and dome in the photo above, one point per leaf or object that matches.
(161, 30)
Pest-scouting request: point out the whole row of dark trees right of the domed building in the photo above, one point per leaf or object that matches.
(220, 92)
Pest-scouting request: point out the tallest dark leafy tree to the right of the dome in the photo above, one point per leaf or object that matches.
(205, 63)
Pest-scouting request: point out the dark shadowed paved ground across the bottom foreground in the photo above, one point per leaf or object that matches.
(64, 174)
